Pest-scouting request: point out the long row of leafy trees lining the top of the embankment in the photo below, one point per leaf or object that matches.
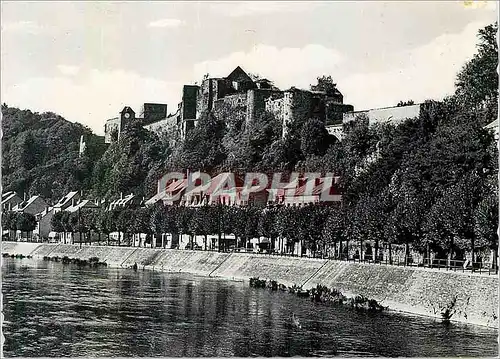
(319, 228)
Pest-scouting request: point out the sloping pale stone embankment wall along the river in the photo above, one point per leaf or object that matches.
(414, 290)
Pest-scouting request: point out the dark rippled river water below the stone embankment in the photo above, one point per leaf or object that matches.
(52, 309)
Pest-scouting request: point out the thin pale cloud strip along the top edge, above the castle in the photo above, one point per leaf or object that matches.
(260, 8)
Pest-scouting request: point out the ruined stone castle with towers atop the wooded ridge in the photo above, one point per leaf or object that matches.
(242, 92)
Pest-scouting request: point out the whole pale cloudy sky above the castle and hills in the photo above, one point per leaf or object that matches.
(87, 60)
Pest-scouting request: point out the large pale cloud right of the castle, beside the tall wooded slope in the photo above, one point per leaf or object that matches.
(426, 72)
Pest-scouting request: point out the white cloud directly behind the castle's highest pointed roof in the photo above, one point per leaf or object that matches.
(286, 66)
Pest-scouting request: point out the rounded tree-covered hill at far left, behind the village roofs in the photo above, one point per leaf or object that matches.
(40, 153)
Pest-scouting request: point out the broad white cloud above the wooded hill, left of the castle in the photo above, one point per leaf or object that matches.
(93, 97)
